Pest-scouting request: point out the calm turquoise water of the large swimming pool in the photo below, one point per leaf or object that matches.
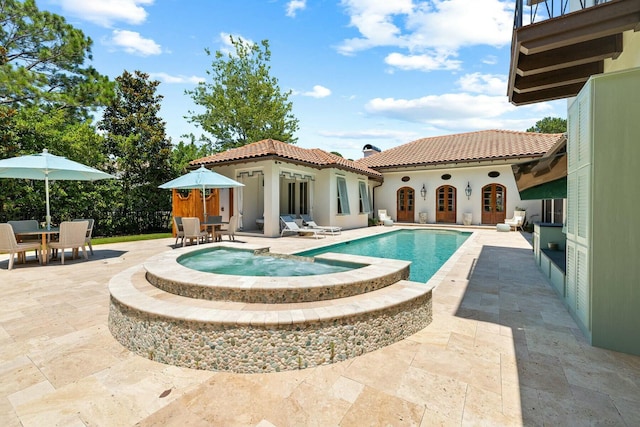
(427, 250)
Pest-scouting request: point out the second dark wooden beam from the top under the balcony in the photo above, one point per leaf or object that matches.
(570, 56)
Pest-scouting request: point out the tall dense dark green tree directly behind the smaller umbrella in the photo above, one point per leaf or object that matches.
(135, 138)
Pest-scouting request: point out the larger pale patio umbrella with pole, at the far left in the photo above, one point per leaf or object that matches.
(45, 166)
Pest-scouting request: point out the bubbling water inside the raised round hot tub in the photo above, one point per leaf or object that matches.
(246, 263)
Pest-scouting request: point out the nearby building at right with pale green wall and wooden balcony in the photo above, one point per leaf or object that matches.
(589, 53)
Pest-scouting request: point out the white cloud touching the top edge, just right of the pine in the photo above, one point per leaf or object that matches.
(107, 12)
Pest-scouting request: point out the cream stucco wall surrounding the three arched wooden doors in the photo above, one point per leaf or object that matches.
(476, 176)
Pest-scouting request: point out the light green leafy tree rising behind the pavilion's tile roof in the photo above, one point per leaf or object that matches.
(243, 103)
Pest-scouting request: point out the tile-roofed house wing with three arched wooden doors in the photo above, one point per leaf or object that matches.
(462, 178)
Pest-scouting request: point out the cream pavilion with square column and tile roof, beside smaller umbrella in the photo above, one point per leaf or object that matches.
(283, 179)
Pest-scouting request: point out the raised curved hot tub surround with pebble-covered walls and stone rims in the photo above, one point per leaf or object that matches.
(176, 315)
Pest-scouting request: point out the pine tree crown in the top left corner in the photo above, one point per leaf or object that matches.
(42, 60)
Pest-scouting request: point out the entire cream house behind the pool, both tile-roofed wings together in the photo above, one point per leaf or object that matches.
(454, 179)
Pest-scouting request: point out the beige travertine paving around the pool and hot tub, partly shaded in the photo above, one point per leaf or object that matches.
(501, 350)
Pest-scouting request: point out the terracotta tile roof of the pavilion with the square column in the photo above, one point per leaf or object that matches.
(313, 157)
